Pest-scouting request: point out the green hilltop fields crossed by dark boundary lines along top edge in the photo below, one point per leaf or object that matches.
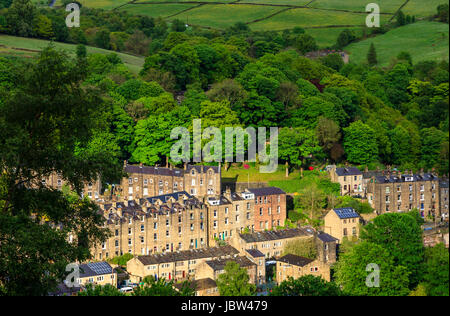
(323, 19)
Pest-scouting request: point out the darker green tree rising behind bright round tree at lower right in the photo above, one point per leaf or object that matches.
(404, 241)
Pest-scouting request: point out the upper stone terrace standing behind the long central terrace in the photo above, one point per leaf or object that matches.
(144, 181)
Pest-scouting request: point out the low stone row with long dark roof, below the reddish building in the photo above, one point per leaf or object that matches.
(270, 243)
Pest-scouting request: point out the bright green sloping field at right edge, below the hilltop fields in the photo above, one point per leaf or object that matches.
(423, 40)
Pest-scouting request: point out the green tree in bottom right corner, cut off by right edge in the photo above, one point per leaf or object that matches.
(436, 270)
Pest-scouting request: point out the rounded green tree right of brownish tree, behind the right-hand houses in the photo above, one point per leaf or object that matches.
(360, 143)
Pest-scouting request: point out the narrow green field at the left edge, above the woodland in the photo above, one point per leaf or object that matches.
(29, 47)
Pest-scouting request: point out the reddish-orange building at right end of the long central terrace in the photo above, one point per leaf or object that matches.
(269, 208)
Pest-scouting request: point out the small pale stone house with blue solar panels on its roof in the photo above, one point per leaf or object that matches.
(342, 223)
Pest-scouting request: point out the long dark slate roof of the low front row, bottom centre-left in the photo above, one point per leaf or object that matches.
(213, 252)
